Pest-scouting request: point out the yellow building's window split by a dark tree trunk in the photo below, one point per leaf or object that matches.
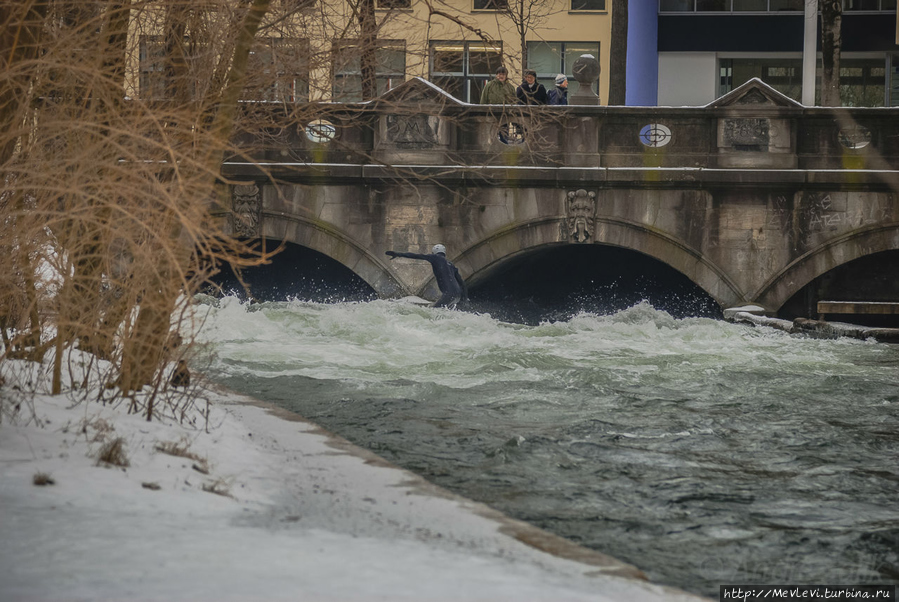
(390, 67)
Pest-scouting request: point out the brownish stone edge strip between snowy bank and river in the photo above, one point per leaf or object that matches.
(526, 533)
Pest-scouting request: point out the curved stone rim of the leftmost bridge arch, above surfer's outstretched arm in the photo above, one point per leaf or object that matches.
(335, 244)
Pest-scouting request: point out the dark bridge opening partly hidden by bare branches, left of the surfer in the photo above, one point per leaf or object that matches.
(297, 272)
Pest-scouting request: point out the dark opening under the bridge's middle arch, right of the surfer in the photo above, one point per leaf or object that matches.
(555, 282)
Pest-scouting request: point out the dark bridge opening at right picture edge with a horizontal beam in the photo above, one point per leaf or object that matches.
(872, 277)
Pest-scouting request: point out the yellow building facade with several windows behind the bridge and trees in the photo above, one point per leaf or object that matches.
(312, 51)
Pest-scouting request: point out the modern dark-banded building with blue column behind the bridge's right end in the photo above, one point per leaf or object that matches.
(706, 48)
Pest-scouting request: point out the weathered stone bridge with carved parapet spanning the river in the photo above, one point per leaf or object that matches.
(751, 197)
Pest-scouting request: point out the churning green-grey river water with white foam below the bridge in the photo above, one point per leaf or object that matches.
(701, 451)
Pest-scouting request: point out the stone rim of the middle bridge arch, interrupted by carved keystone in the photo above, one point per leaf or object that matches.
(476, 261)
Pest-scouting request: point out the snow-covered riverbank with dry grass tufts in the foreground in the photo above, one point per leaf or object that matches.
(286, 512)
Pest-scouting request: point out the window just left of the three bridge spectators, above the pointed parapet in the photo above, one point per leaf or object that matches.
(464, 68)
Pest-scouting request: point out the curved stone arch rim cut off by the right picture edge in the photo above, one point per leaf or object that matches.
(823, 258)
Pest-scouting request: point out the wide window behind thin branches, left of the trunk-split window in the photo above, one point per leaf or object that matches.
(278, 69)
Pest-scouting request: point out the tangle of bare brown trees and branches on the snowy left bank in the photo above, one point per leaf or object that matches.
(105, 201)
